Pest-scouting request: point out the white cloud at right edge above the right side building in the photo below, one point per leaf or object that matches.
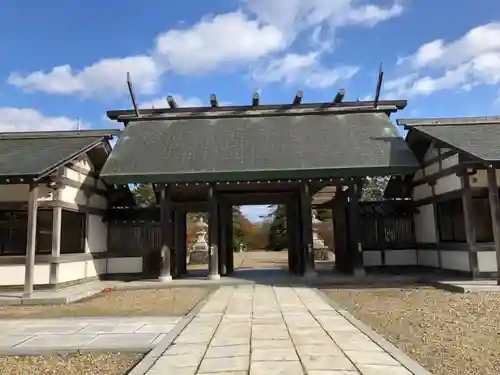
(472, 60)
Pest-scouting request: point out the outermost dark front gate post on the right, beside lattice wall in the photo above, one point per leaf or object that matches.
(354, 228)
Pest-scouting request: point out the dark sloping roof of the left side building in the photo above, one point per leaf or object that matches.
(33, 156)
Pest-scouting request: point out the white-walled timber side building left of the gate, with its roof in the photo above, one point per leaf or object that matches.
(52, 206)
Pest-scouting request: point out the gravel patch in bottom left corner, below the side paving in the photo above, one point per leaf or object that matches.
(70, 364)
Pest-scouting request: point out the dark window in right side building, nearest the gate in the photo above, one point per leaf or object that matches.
(451, 223)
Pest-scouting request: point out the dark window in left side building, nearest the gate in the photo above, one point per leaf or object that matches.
(73, 230)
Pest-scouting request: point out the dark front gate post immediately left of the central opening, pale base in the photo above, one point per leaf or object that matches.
(213, 234)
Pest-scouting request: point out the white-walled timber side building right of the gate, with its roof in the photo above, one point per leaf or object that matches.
(454, 193)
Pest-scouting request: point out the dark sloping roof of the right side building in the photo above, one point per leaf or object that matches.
(479, 140)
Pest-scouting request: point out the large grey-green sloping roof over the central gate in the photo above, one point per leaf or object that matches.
(254, 148)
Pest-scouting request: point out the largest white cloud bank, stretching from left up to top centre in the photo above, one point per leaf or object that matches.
(263, 29)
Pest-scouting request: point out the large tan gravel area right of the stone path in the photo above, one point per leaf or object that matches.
(447, 333)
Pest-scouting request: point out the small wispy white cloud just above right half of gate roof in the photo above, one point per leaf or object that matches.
(306, 70)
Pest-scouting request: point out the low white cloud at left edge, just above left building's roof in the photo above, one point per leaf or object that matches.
(27, 119)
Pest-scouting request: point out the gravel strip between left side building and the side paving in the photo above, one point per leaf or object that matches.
(145, 302)
